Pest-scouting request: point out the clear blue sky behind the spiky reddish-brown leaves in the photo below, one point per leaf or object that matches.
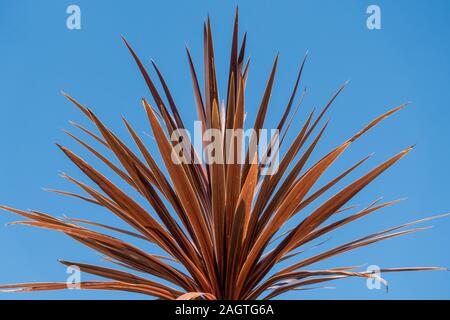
(405, 61)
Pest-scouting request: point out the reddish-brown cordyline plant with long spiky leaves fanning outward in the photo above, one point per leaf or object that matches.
(222, 226)
